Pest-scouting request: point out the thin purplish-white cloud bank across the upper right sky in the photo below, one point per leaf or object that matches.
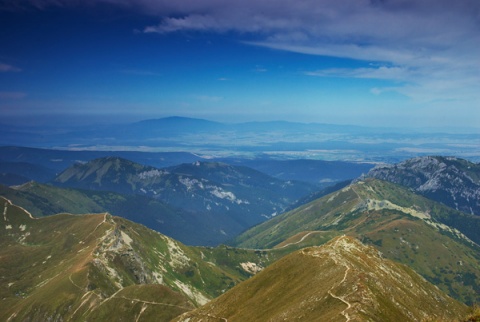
(431, 46)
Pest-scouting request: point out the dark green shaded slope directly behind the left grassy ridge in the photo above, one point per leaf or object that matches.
(46, 200)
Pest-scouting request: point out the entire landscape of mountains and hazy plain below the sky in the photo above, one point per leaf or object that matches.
(191, 220)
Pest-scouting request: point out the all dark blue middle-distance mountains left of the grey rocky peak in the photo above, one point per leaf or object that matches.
(197, 202)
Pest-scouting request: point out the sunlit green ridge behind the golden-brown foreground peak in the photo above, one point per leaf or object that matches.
(405, 227)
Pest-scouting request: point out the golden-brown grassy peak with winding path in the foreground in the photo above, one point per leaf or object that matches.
(342, 280)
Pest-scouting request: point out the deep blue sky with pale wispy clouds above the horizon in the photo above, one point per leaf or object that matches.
(395, 63)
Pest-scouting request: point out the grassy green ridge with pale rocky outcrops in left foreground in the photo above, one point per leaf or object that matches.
(67, 267)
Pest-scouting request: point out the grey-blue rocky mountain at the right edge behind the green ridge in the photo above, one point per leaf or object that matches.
(451, 181)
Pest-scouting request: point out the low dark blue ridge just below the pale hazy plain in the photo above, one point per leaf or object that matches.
(19, 161)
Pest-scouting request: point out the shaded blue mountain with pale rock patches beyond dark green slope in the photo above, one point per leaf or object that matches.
(222, 200)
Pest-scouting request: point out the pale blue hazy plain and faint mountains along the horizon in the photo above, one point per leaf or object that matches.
(285, 139)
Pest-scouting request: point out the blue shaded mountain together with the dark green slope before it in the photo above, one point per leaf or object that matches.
(200, 203)
